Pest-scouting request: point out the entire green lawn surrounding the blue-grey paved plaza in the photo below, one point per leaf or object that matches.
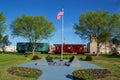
(9, 60)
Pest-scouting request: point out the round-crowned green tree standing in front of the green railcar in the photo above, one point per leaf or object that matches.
(33, 28)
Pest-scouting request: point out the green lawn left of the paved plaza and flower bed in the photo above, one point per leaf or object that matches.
(9, 60)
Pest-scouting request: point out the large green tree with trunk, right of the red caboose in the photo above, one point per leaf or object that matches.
(99, 24)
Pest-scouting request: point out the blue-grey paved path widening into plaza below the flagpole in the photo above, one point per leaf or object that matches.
(58, 72)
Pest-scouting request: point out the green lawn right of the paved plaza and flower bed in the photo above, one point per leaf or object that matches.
(112, 63)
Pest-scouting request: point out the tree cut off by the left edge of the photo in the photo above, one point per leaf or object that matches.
(3, 38)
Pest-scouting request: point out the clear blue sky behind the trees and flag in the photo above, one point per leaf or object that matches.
(49, 9)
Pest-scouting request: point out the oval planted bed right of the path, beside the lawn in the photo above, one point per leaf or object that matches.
(90, 74)
